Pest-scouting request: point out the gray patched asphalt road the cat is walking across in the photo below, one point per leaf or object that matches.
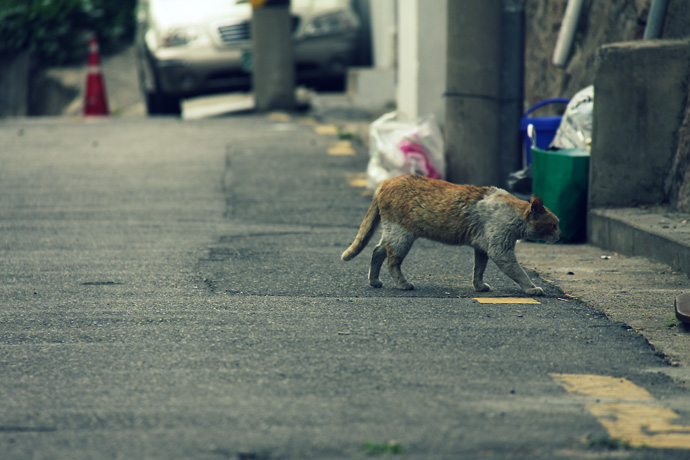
(174, 290)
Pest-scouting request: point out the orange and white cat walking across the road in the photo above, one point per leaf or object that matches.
(489, 219)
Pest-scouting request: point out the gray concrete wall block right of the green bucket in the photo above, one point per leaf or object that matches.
(640, 92)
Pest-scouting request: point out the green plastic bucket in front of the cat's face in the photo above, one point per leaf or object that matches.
(560, 178)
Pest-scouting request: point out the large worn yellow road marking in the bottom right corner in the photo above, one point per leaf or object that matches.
(628, 411)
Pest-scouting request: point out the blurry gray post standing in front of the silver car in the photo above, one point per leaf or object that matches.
(273, 65)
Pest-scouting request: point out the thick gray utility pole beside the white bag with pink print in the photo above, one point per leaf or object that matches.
(473, 92)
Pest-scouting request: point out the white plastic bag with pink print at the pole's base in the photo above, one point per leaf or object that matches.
(397, 148)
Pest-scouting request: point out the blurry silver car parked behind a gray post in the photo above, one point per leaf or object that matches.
(187, 48)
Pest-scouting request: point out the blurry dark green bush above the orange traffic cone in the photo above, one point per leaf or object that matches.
(56, 30)
